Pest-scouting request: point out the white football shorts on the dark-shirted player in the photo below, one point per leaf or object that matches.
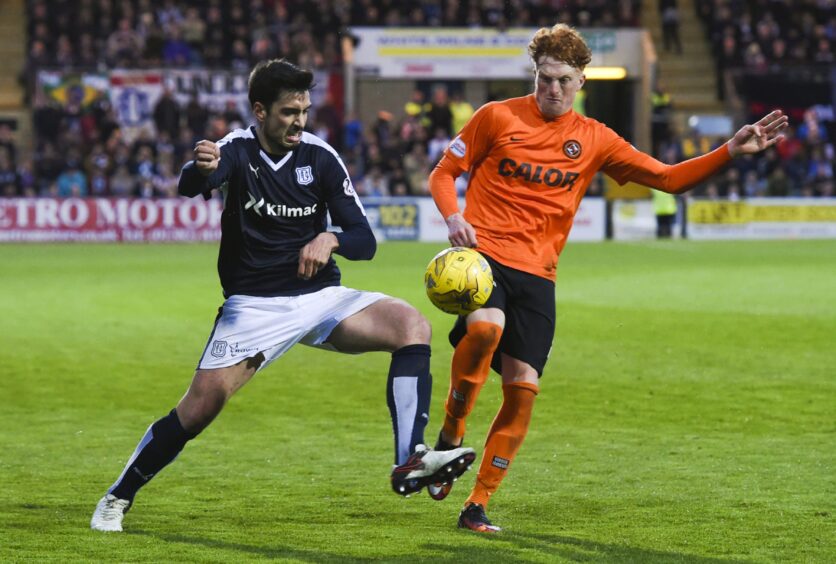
(248, 325)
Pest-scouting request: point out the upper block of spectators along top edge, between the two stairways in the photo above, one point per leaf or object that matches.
(237, 33)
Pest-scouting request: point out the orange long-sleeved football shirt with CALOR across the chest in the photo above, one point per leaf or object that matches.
(528, 175)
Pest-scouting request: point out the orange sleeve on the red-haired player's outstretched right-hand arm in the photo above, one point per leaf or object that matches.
(625, 163)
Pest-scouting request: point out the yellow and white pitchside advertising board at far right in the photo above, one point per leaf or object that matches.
(763, 218)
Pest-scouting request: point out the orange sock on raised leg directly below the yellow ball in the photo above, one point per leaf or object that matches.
(471, 365)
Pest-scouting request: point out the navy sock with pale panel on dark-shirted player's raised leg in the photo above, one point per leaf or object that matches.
(408, 391)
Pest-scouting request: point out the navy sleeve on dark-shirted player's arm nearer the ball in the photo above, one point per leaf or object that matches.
(356, 240)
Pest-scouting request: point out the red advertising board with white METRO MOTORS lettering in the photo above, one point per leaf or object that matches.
(109, 219)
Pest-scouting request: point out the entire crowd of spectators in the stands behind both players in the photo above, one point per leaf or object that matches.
(83, 151)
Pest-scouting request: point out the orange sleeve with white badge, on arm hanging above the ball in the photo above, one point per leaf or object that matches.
(468, 148)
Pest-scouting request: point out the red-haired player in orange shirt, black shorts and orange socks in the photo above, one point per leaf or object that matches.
(530, 161)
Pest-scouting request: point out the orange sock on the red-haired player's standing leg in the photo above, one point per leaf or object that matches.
(507, 432)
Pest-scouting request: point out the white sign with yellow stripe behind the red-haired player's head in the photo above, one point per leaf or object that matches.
(460, 53)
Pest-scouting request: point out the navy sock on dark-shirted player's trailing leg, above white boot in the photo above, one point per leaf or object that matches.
(160, 445)
